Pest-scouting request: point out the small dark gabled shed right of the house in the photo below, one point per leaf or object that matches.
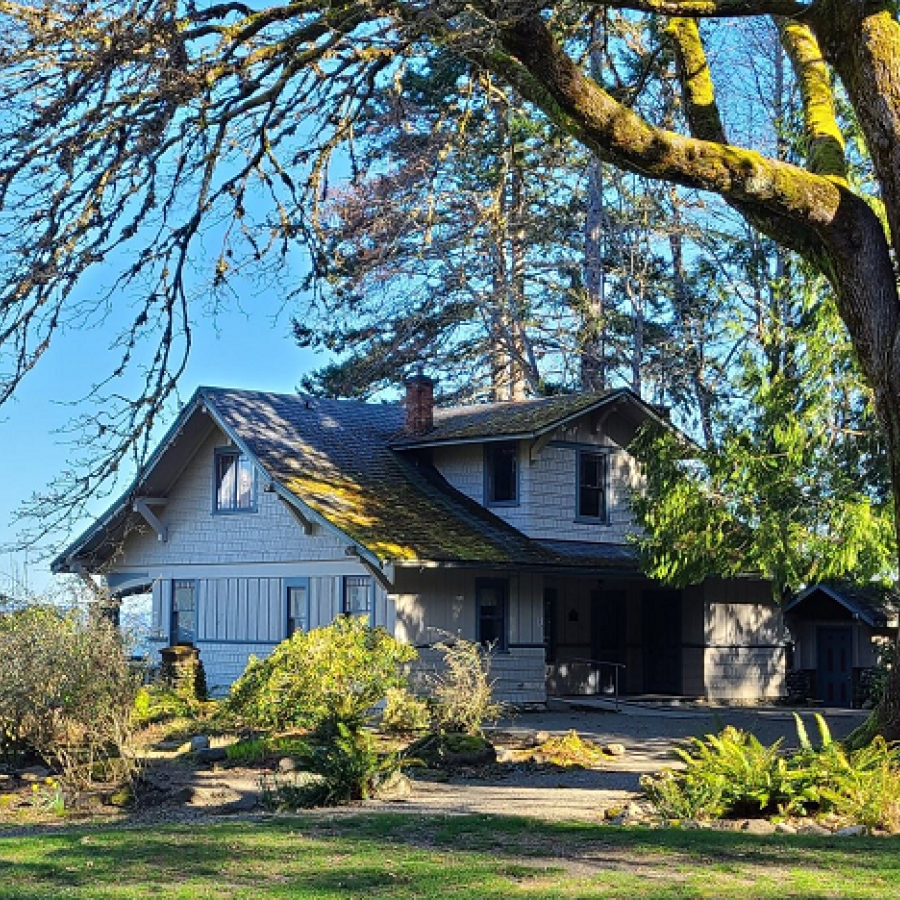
(836, 628)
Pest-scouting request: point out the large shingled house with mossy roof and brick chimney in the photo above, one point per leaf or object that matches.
(260, 514)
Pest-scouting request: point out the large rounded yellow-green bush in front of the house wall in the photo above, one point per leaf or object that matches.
(321, 678)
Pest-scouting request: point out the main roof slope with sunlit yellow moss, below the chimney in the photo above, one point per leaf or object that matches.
(333, 456)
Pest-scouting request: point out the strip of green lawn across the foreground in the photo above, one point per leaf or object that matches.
(417, 857)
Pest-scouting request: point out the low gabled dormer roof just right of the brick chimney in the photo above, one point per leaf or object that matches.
(522, 419)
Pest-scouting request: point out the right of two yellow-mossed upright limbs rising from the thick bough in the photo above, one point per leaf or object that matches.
(825, 150)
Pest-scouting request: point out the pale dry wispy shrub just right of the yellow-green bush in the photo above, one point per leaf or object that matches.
(461, 691)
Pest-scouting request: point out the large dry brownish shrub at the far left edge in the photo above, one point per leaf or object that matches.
(66, 694)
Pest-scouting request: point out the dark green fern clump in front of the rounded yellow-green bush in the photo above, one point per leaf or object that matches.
(348, 768)
